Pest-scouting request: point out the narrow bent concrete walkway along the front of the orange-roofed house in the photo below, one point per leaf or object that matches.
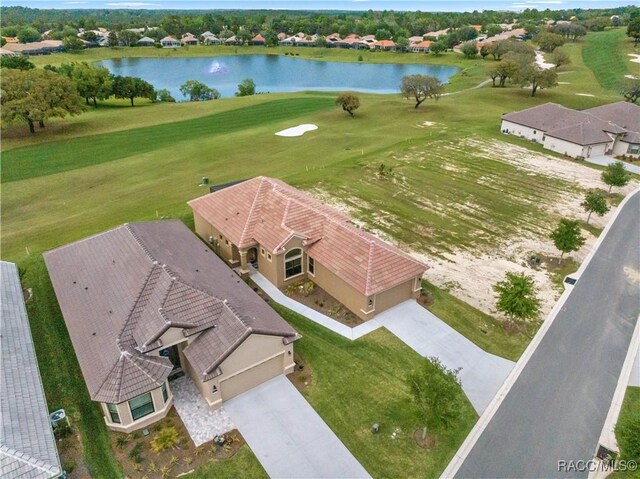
(337, 327)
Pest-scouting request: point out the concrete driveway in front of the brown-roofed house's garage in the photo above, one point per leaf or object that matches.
(287, 436)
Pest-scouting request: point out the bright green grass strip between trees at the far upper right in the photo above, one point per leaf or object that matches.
(605, 53)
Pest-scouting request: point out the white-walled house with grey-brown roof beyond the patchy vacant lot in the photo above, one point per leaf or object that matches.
(610, 129)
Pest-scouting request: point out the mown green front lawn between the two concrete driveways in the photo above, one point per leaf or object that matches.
(358, 383)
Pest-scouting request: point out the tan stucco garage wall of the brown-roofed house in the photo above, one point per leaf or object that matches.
(255, 350)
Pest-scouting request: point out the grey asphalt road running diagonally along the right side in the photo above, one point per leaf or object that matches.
(557, 407)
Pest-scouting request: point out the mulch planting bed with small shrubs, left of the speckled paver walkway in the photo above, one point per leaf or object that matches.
(138, 460)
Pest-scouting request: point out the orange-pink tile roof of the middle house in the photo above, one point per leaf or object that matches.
(269, 212)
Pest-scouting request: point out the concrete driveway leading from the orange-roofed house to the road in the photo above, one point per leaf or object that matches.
(482, 373)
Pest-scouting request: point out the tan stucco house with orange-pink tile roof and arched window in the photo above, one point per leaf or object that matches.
(290, 236)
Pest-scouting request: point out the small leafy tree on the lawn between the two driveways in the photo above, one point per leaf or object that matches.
(436, 391)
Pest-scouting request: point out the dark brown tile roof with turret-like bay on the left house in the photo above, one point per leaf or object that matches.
(119, 291)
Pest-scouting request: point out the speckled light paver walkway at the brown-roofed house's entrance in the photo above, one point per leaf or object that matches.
(202, 422)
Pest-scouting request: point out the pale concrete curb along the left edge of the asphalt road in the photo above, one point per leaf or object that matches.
(471, 439)
